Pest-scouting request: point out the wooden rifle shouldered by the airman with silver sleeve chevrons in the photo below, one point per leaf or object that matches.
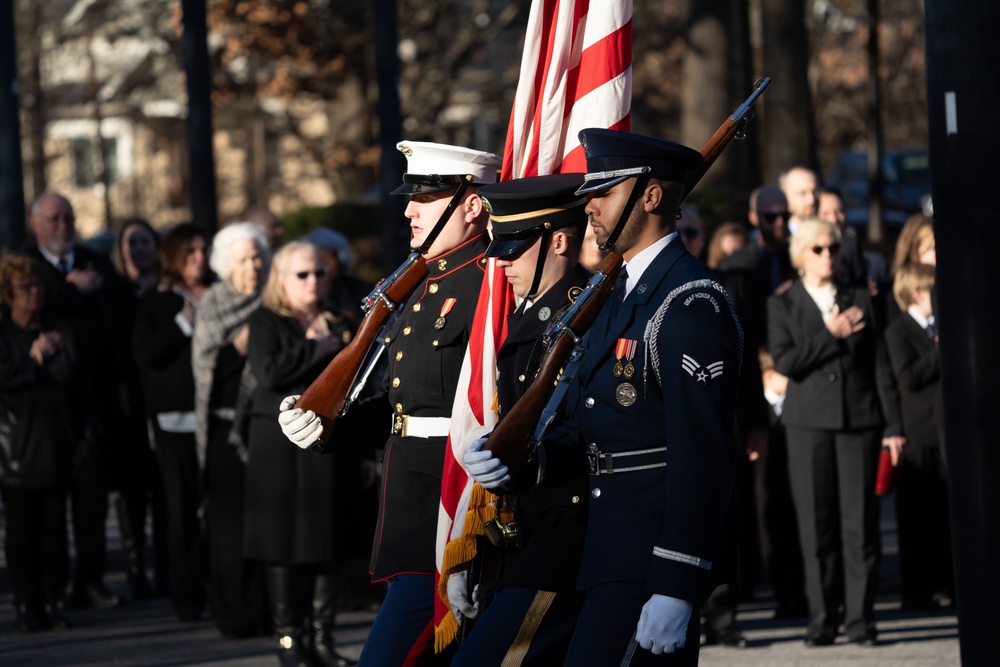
(512, 439)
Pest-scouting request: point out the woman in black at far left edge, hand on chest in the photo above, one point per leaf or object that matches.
(43, 424)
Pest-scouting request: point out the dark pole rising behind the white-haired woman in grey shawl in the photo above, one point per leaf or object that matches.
(198, 69)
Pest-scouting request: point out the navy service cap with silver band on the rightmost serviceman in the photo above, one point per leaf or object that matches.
(614, 156)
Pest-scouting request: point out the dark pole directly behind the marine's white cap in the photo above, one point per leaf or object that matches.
(392, 164)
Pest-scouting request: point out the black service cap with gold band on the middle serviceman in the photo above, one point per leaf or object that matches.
(521, 209)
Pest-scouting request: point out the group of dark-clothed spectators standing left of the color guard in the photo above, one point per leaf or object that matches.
(135, 381)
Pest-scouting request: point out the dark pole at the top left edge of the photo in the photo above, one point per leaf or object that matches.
(12, 218)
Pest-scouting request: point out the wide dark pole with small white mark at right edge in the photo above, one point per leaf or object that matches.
(962, 49)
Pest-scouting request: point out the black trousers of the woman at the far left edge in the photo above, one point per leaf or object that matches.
(35, 544)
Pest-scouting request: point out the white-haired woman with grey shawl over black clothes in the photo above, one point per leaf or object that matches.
(218, 355)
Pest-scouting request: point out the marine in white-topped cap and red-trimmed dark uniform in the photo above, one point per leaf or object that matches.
(425, 346)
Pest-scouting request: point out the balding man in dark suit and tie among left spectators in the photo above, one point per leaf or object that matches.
(84, 289)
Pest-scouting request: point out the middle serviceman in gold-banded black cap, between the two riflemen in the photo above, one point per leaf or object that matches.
(537, 232)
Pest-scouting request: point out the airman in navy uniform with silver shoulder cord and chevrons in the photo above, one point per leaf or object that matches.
(652, 408)
